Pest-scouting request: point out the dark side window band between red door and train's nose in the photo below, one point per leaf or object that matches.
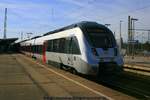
(64, 45)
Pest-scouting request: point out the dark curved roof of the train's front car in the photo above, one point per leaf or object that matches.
(82, 25)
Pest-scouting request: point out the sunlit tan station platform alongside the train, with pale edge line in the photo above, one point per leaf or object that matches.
(22, 78)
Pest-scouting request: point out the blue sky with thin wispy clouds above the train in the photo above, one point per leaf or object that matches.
(41, 16)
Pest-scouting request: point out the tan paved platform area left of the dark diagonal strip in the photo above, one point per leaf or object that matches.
(15, 84)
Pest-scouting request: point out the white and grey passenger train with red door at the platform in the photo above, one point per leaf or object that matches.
(86, 47)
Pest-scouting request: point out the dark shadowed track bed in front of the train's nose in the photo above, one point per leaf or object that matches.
(128, 83)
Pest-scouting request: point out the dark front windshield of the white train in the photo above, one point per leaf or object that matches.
(101, 38)
